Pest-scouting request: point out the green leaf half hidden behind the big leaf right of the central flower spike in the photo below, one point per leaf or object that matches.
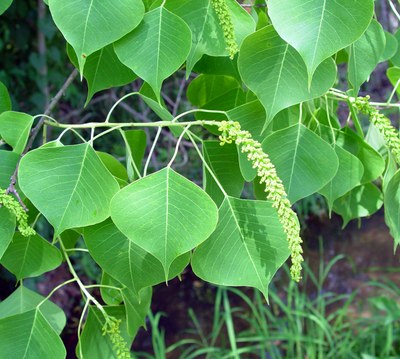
(348, 176)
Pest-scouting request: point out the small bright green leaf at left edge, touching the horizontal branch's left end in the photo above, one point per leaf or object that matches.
(15, 128)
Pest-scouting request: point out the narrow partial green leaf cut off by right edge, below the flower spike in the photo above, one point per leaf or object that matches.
(392, 207)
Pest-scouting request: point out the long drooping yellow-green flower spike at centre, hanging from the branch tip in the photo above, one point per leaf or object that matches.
(231, 132)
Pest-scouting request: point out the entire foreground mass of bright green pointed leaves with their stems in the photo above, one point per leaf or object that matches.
(144, 229)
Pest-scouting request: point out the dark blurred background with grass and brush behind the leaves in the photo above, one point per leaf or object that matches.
(348, 306)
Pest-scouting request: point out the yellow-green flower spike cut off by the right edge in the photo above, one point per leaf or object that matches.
(382, 123)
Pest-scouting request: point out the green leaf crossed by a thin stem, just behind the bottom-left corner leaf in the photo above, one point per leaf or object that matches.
(23, 300)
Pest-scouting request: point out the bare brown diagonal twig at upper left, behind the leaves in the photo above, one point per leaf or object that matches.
(34, 132)
